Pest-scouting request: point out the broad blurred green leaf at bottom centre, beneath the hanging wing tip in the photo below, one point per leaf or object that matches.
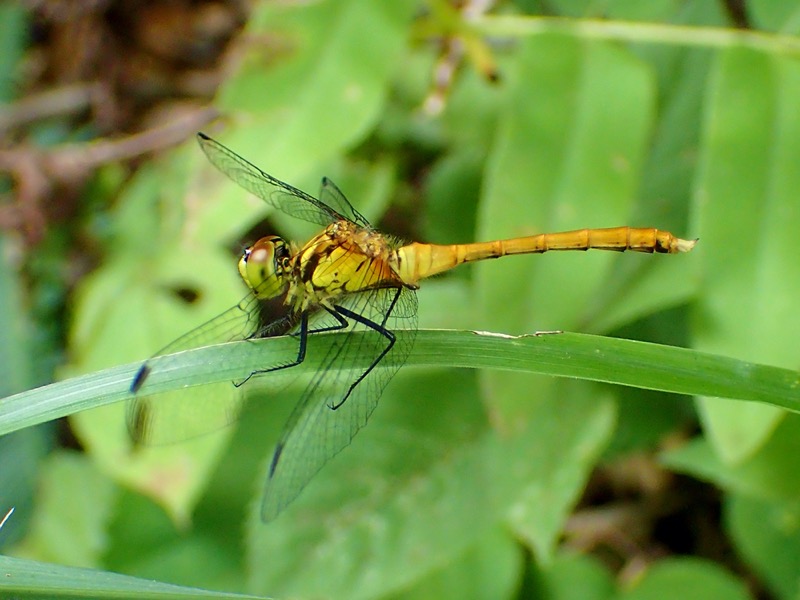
(434, 444)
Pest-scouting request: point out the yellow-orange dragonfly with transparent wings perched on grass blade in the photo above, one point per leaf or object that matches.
(350, 279)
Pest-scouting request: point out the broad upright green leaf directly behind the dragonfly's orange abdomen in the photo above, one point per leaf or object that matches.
(567, 154)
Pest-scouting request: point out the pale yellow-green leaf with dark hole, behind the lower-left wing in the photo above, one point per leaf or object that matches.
(126, 301)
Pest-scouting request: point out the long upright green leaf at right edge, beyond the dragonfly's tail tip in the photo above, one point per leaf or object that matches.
(747, 215)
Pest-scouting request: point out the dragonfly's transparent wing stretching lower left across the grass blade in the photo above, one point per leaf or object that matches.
(158, 419)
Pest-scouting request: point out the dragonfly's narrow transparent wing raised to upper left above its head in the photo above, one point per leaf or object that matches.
(276, 193)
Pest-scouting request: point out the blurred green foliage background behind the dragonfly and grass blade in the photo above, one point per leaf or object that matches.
(465, 484)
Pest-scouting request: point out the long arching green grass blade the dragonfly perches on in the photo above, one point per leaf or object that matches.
(594, 358)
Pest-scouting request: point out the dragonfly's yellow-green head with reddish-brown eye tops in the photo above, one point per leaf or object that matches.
(265, 268)
